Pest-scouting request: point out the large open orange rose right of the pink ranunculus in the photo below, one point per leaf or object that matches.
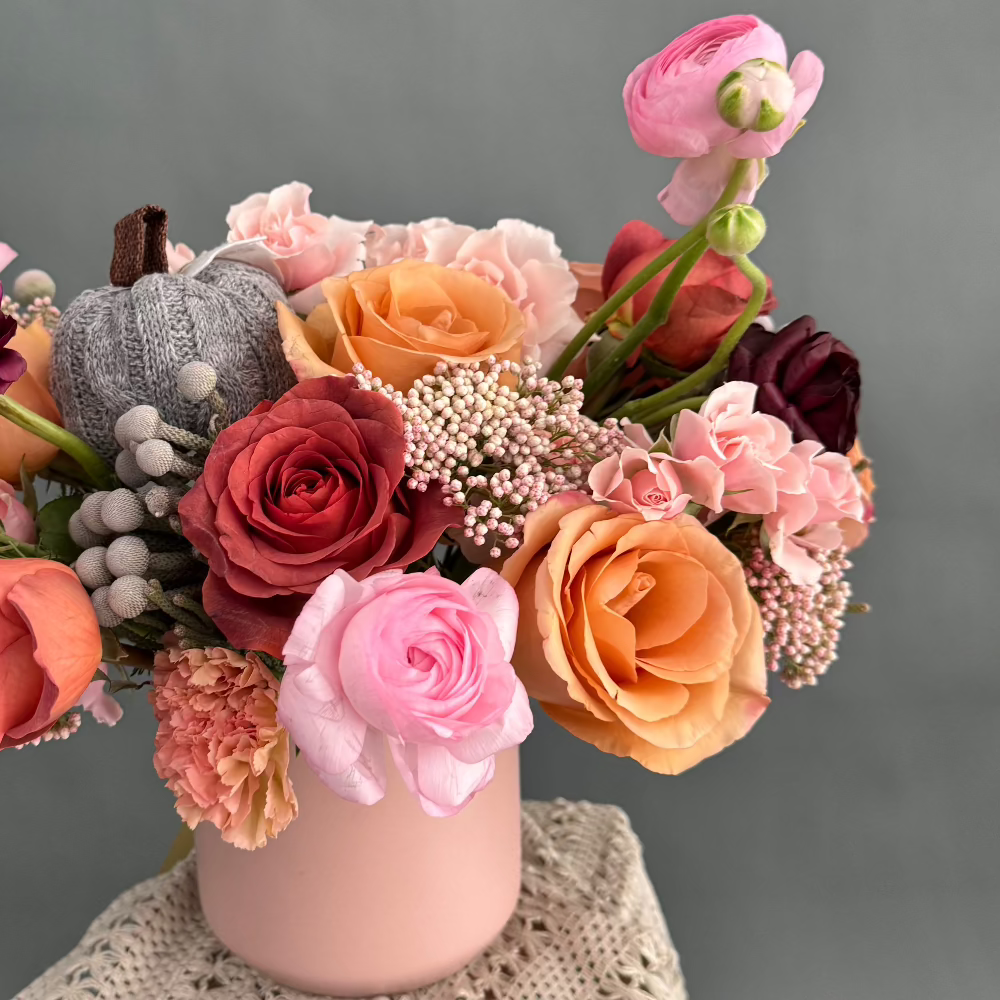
(645, 640)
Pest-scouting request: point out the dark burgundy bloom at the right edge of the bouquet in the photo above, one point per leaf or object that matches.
(810, 380)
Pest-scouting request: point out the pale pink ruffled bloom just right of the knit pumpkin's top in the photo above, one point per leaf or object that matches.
(306, 247)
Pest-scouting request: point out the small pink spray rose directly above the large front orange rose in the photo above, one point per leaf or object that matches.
(639, 482)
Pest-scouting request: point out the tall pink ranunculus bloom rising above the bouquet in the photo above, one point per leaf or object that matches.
(670, 101)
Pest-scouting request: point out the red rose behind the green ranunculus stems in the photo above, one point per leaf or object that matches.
(707, 305)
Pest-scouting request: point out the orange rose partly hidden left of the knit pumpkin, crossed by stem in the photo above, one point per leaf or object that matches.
(34, 344)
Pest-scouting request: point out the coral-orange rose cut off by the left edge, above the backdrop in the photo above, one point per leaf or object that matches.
(50, 646)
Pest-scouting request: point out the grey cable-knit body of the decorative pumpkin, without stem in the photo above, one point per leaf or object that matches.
(118, 347)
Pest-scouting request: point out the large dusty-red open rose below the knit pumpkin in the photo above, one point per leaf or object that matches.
(297, 489)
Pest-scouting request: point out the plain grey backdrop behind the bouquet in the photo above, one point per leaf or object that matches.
(848, 847)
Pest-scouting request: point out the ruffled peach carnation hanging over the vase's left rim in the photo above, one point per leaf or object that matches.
(219, 746)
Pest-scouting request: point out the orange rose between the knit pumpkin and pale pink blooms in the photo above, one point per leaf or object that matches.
(399, 321)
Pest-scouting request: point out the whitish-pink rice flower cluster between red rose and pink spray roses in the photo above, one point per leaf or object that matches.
(499, 439)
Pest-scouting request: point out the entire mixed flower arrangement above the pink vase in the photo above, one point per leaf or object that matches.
(437, 471)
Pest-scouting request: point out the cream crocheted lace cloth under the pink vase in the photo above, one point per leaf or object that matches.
(588, 927)
